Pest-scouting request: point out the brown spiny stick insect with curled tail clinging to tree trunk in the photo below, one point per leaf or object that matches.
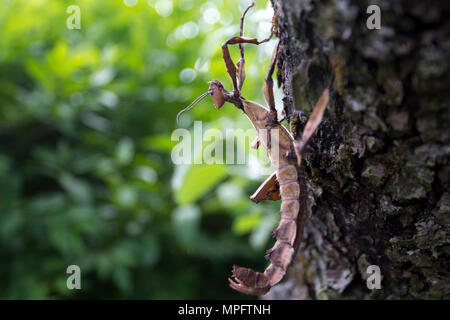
(285, 152)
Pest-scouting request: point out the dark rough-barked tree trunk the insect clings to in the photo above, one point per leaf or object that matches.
(378, 167)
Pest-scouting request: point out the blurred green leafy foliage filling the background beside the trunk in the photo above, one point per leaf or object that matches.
(86, 176)
